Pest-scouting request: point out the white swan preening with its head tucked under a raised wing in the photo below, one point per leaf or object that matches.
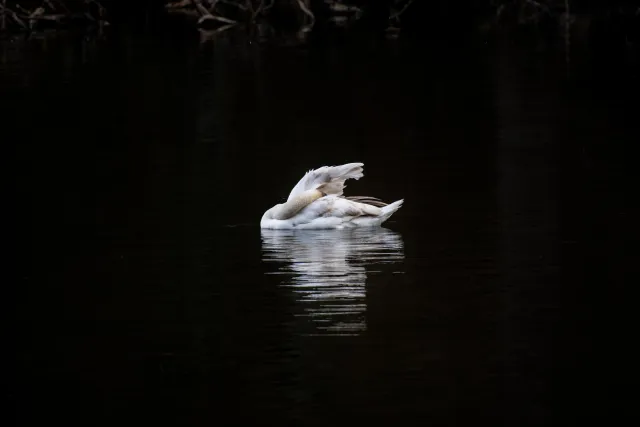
(316, 202)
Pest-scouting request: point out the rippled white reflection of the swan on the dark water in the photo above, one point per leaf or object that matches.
(327, 271)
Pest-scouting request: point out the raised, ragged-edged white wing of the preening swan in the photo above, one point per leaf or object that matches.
(328, 179)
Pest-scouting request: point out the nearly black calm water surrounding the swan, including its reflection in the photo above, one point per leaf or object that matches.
(148, 293)
